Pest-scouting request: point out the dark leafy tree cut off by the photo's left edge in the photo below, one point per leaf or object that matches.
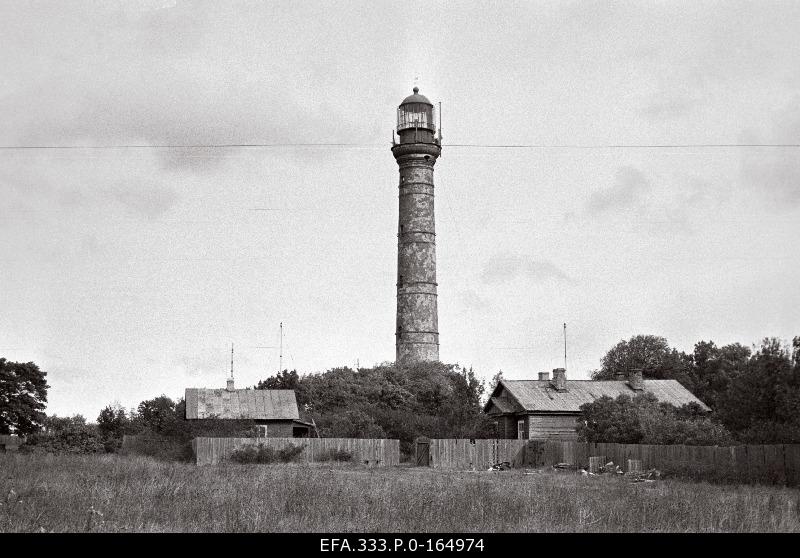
(23, 397)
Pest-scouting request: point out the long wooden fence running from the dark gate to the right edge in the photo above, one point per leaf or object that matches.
(776, 463)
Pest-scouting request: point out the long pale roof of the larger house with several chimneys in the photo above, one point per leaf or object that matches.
(539, 395)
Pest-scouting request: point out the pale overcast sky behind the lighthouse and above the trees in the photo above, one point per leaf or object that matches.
(126, 273)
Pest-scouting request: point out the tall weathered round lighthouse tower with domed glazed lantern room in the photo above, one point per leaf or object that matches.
(417, 328)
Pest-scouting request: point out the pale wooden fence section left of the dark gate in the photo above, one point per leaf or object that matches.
(378, 452)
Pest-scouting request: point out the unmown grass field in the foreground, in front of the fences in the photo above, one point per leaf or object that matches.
(113, 493)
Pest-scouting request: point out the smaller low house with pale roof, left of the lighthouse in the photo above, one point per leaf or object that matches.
(273, 410)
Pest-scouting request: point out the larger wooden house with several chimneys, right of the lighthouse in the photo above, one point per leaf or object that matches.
(548, 408)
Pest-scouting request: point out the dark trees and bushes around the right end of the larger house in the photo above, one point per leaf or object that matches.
(754, 394)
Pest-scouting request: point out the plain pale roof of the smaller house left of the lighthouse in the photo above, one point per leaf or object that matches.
(259, 404)
